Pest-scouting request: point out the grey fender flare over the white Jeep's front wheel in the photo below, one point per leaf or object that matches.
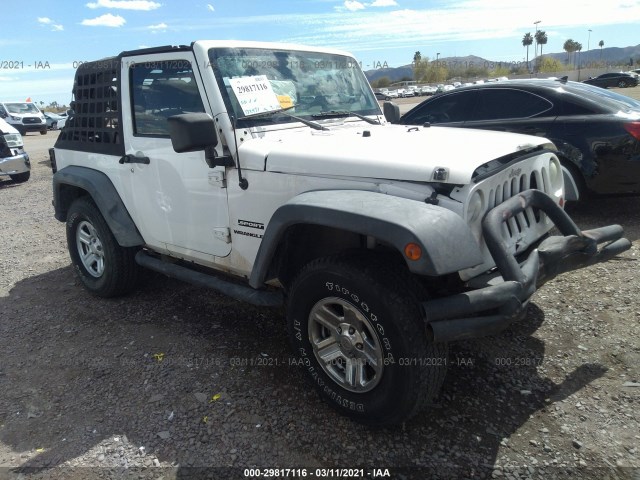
(447, 242)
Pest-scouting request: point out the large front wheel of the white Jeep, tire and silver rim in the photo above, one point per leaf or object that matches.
(356, 324)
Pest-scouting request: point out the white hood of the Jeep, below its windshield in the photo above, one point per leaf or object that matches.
(390, 151)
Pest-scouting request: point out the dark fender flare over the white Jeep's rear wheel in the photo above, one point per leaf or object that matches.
(100, 188)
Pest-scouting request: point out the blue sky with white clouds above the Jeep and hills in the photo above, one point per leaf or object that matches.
(55, 35)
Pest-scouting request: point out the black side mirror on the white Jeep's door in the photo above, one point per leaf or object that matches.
(192, 132)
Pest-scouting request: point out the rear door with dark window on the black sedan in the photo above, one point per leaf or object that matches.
(511, 110)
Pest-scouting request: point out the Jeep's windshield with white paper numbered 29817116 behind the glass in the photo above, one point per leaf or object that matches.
(255, 81)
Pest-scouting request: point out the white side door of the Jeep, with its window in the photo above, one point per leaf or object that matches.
(180, 202)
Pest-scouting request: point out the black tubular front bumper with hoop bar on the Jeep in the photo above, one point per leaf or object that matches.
(490, 309)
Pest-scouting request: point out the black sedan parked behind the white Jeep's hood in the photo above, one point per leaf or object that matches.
(597, 132)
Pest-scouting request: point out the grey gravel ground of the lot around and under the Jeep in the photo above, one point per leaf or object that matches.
(180, 382)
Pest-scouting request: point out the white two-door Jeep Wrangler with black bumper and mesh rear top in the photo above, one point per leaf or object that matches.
(267, 172)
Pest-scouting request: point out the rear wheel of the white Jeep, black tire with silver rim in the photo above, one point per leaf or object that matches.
(111, 270)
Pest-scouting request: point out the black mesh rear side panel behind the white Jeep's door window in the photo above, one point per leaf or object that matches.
(96, 122)
